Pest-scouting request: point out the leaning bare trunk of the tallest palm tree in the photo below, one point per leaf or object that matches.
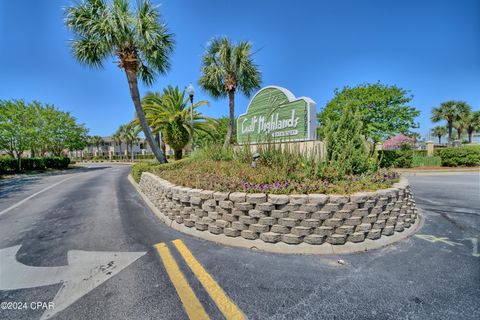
(133, 84)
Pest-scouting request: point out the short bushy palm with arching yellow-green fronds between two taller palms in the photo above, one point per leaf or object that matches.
(170, 114)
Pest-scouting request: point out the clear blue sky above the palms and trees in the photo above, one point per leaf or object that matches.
(431, 48)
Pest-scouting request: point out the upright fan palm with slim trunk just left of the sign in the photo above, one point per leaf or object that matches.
(228, 68)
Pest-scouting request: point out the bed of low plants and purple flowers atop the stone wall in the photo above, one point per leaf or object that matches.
(235, 176)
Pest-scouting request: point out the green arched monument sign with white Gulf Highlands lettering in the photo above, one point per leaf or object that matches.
(274, 114)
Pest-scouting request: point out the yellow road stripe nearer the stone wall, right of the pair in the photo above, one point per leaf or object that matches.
(223, 302)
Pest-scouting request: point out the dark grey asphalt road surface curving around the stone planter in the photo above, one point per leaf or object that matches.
(432, 275)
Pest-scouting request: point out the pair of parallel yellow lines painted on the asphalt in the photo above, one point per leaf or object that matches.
(192, 305)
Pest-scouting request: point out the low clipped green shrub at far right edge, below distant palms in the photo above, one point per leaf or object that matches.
(468, 156)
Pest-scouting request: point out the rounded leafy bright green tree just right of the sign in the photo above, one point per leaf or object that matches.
(383, 110)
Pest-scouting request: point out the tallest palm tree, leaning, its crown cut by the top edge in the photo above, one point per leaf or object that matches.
(138, 38)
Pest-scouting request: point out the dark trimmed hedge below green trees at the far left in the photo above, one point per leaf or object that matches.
(11, 165)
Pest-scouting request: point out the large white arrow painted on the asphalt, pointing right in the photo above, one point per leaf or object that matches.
(85, 271)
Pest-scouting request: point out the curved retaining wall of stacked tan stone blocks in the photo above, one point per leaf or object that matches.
(292, 219)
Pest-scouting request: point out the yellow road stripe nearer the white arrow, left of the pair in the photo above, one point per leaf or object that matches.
(193, 307)
